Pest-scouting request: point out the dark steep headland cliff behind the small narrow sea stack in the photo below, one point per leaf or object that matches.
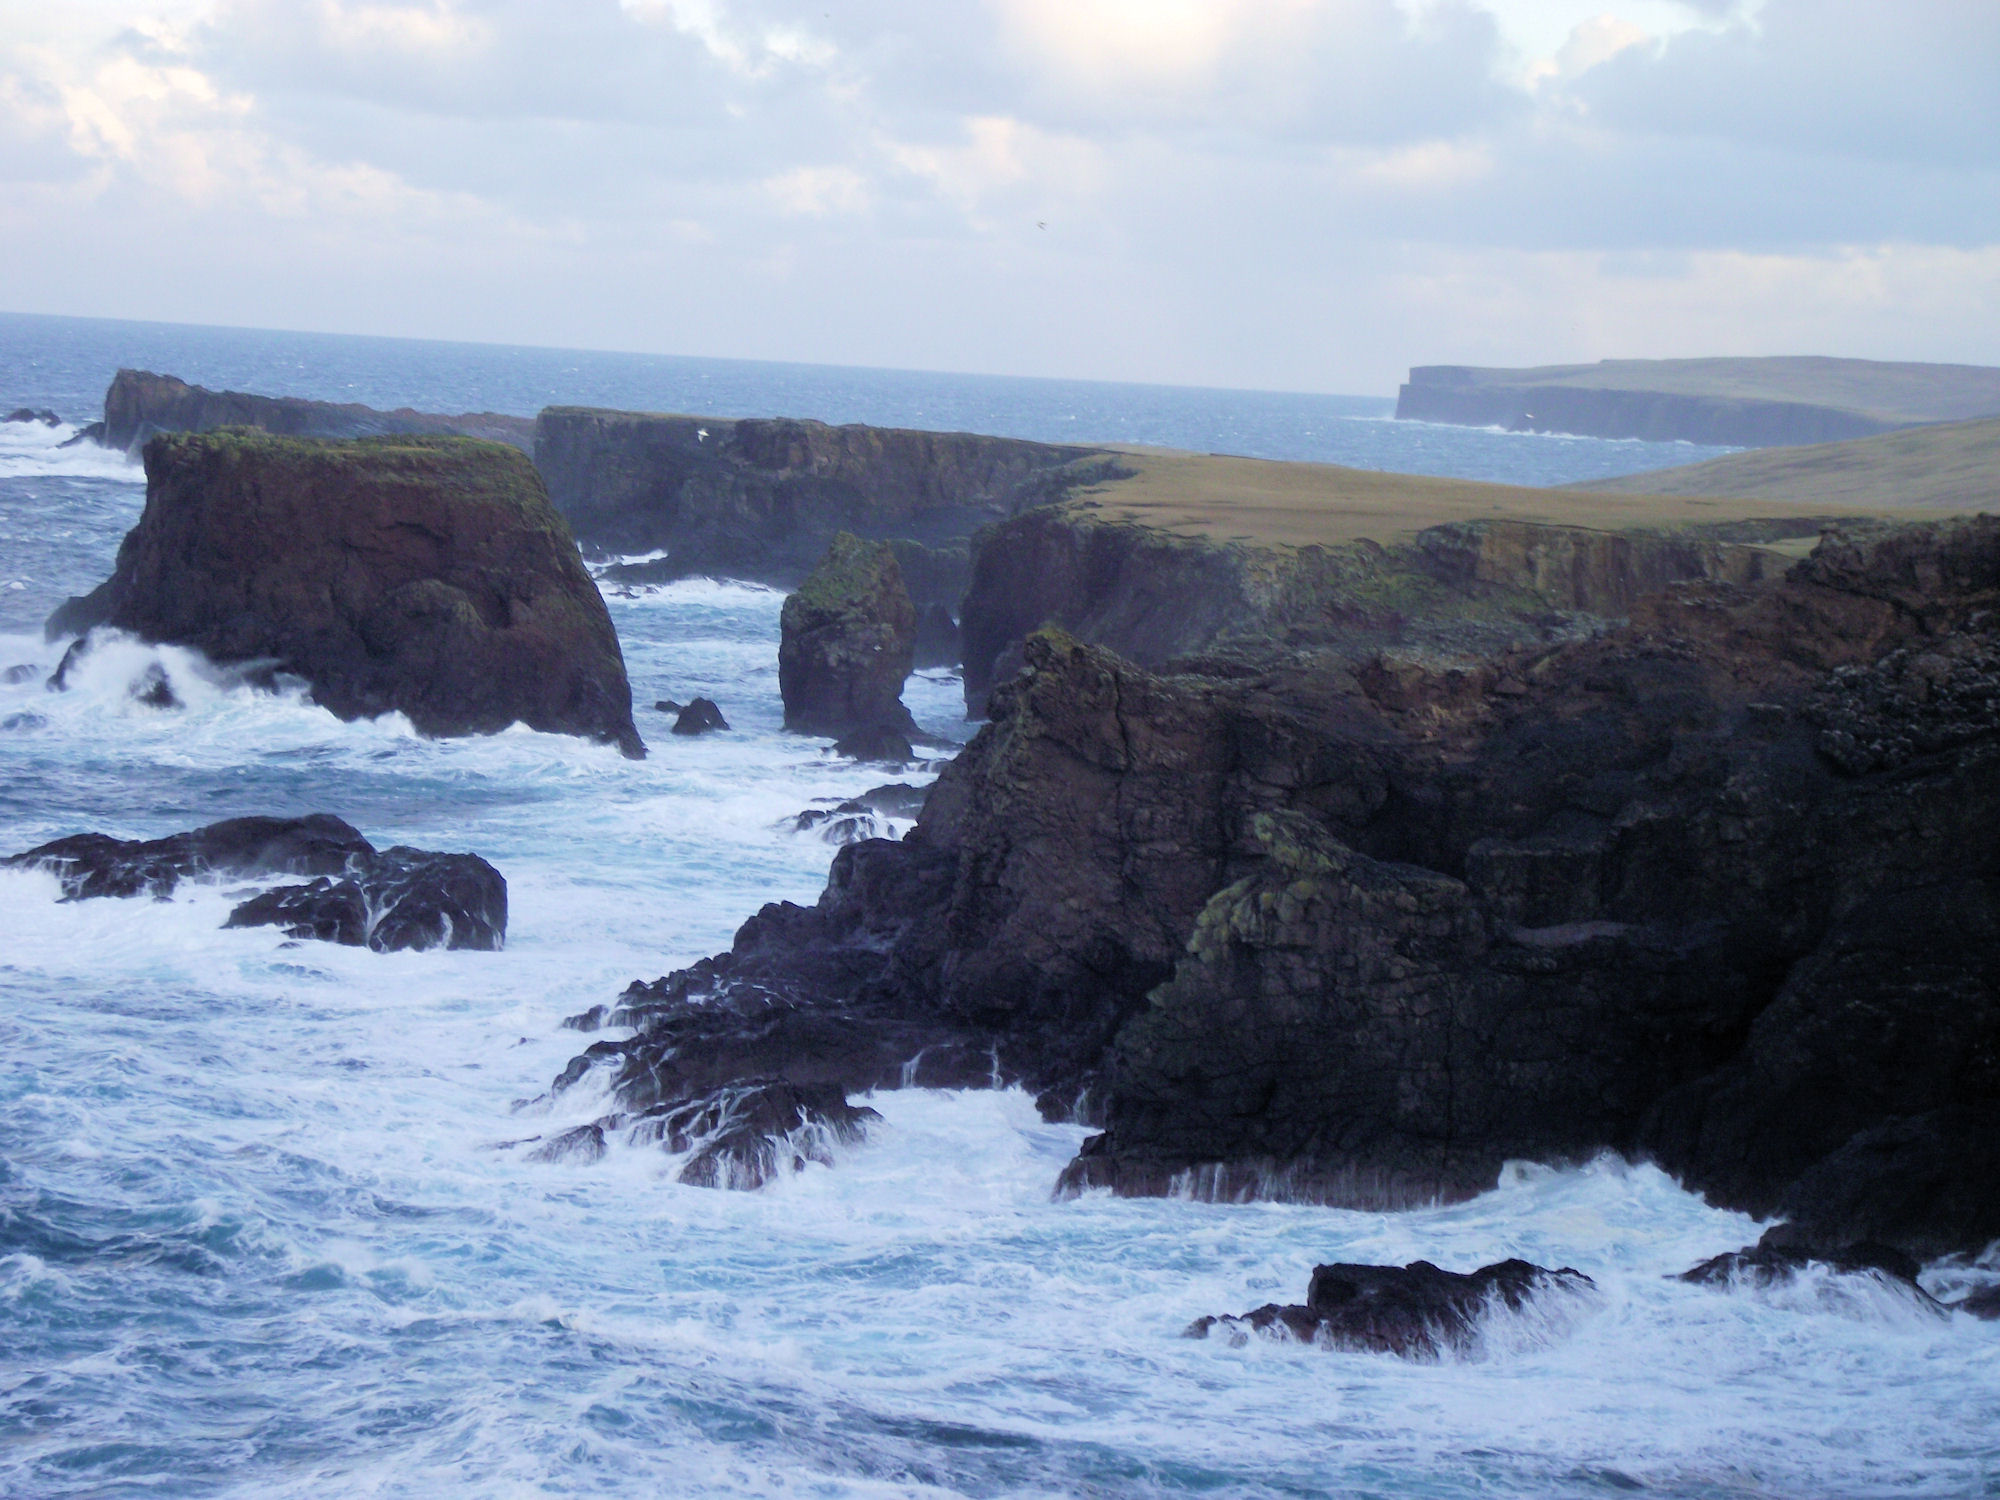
(763, 499)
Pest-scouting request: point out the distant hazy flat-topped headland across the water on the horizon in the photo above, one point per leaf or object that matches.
(1729, 403)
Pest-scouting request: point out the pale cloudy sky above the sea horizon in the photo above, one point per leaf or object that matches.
(1295, 195)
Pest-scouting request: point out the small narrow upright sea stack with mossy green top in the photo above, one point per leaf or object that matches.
(847, 643)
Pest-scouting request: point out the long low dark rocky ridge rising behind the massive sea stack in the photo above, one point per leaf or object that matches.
(141, 403)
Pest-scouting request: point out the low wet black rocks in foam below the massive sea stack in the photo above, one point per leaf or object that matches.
(357, 895)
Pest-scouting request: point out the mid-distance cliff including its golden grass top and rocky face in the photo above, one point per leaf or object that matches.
(1191, 553)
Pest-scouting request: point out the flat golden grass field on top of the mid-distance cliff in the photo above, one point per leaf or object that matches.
(1299, 505)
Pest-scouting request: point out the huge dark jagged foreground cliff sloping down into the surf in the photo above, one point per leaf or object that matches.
(1715, 887)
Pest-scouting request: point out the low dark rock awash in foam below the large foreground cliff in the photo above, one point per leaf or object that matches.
(1415, 1311)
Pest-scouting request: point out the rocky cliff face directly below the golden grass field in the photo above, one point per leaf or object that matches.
(1155, 597)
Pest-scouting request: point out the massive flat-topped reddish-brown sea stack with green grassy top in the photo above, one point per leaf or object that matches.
(427, 577)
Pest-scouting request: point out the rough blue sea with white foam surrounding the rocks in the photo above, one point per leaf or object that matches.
(267, 1225)
